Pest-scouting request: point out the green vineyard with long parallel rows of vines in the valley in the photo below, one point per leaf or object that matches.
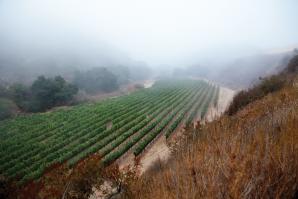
(29, 144)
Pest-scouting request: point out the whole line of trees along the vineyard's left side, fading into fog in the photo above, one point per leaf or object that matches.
(47, 92)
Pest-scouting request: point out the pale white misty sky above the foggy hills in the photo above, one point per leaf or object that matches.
(168, 32)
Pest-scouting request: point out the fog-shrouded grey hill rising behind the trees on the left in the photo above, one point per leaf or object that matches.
(23, 63)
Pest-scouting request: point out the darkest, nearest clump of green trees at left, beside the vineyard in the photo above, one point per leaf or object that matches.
(43, 94)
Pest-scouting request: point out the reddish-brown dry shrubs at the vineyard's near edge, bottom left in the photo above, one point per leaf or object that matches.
(61, 181)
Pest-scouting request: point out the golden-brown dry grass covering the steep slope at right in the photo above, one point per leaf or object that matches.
(253, 154)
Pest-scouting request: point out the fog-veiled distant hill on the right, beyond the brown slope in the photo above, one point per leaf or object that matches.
(243, 72)
